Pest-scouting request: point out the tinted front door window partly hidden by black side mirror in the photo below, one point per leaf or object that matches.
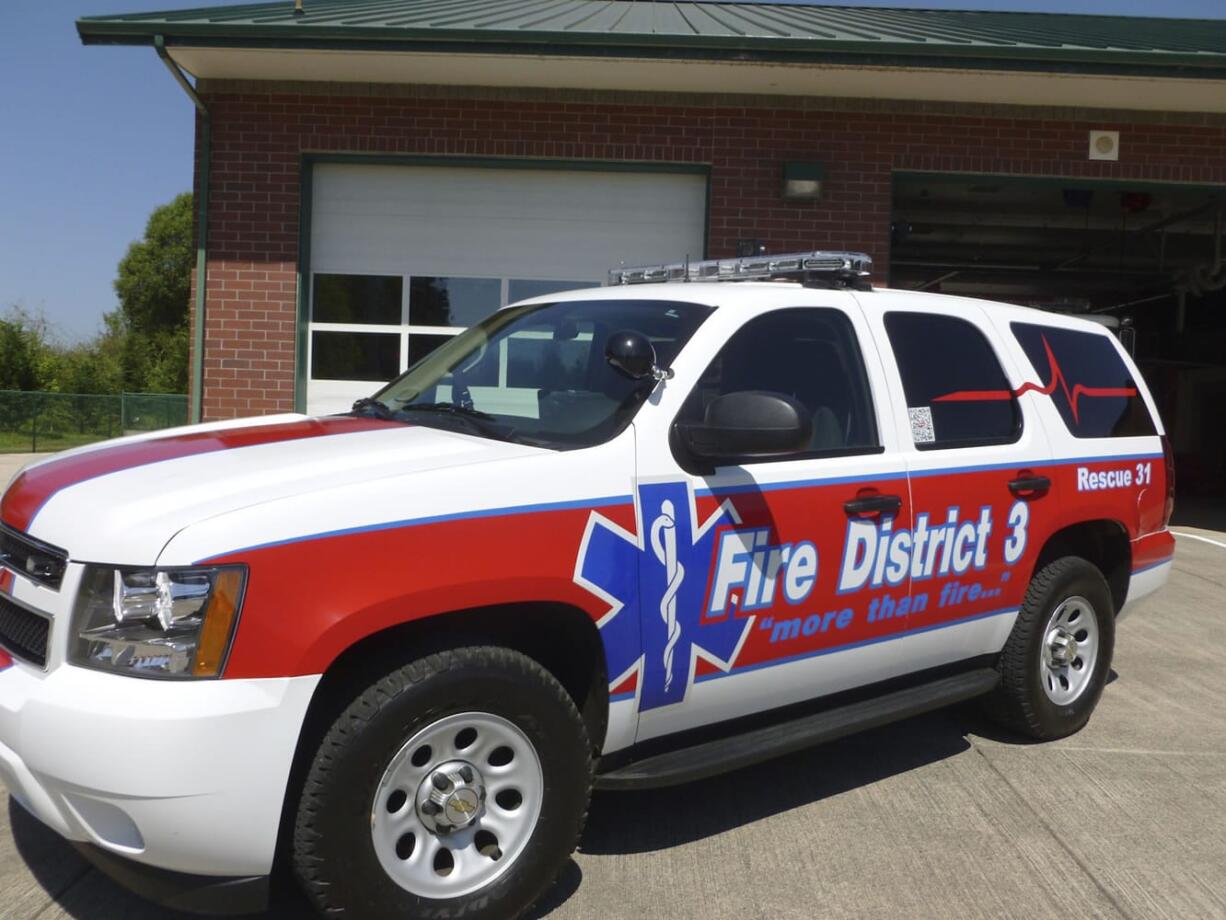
(810, 355)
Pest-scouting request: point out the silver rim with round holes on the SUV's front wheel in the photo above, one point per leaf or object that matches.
(458, 805)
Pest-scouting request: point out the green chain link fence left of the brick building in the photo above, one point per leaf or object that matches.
(57, 421)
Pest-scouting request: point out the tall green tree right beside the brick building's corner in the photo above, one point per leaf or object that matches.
(154, 289)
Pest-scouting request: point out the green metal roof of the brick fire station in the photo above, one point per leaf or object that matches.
(745, 31)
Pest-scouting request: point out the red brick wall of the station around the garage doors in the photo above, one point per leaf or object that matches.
(261, 134)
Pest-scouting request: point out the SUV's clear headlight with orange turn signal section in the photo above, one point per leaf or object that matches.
(156, 623)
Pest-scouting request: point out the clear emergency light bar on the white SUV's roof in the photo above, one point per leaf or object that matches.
(833, 269)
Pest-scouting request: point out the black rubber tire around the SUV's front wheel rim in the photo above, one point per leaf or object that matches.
(334, 856)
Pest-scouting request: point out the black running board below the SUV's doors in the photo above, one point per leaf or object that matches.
(751, 748)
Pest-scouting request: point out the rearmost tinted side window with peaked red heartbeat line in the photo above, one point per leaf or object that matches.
(1089, 382)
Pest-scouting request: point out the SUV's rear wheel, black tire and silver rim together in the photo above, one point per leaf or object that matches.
(1056, 662)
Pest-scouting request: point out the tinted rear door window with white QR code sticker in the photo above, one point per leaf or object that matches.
(958, 396)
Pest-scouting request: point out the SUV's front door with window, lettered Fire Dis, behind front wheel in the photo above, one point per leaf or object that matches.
(769, 583)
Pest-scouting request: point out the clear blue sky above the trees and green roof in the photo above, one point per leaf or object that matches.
(96, 138)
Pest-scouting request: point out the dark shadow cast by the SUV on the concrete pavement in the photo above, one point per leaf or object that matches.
(619, 822)
